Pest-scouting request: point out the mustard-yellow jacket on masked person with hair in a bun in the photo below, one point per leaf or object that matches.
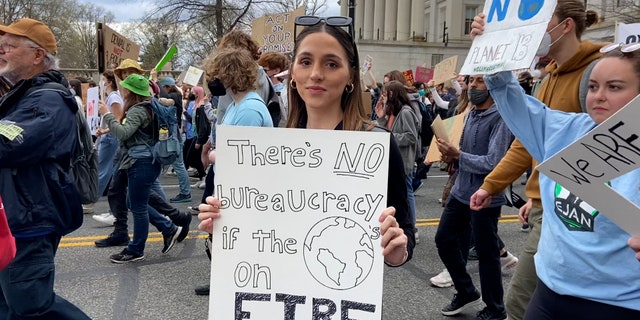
(559, 91)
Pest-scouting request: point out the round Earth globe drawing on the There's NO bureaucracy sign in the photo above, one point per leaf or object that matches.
(330, 256)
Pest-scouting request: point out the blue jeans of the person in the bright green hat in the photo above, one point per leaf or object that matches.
(141, 175)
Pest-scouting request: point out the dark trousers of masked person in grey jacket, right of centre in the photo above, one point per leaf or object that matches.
(452, 241)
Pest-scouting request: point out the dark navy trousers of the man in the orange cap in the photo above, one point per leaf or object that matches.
(26, 285)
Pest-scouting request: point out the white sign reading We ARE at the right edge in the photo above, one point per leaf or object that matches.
(605, 153)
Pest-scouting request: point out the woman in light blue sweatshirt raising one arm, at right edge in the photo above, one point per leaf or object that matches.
(585, 270)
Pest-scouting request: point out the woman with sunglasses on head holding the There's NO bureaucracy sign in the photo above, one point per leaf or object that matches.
(325, 94)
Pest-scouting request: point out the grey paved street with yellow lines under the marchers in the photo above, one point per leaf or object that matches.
(161, 287)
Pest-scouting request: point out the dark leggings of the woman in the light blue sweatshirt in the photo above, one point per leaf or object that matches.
(548, 305)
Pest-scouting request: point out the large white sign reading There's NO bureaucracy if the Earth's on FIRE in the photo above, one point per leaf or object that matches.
(298, 236)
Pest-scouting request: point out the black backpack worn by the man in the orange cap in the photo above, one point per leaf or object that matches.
(84, 162)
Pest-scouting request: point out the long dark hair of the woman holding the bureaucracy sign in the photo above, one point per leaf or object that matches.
(354, 117)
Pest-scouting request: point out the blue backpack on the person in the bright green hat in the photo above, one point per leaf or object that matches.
(165, 133)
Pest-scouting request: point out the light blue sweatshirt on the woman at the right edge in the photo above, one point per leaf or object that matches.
(586, 258)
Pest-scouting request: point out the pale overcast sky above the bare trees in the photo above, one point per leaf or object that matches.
(134, 9)
